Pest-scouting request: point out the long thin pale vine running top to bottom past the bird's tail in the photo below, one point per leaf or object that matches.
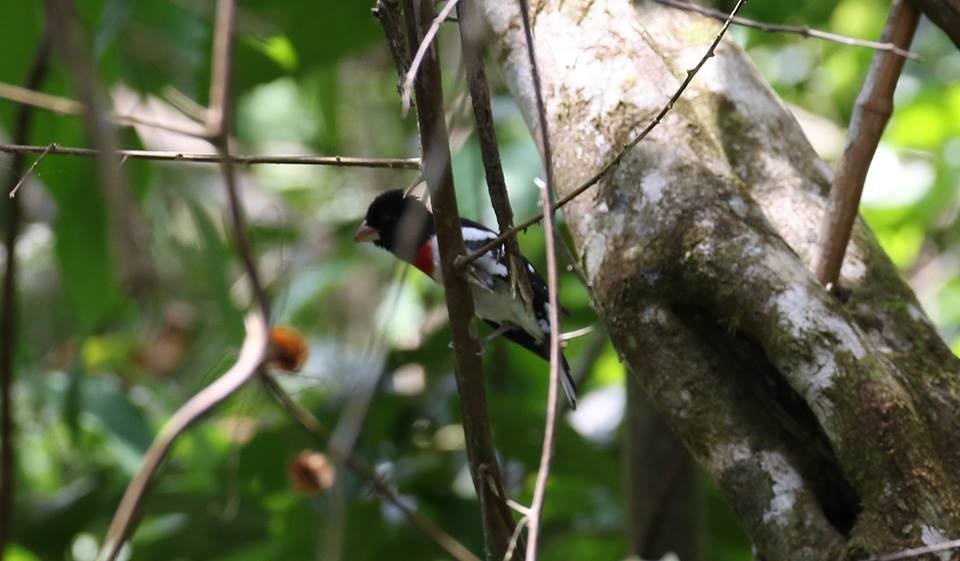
(553, 392)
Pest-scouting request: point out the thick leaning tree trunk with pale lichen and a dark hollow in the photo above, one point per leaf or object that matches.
(830, 424)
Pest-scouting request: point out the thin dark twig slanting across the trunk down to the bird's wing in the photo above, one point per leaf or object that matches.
(612, 164)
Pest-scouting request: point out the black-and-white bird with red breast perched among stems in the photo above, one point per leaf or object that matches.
(403, 226)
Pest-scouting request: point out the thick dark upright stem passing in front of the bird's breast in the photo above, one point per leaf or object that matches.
(498, 521)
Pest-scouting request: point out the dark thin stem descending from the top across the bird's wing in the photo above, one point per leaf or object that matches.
(470, 41)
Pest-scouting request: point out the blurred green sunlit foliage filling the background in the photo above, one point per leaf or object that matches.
(99, 371)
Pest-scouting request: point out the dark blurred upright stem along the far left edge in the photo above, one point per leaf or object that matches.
(8, 300)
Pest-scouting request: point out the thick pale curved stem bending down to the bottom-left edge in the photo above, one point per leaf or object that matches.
(252, 355)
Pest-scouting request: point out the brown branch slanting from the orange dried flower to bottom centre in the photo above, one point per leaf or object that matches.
(312, 426)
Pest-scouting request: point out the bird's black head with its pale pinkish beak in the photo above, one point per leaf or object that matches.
(397, 223)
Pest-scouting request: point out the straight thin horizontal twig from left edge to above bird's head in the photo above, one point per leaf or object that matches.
(212, 158)
